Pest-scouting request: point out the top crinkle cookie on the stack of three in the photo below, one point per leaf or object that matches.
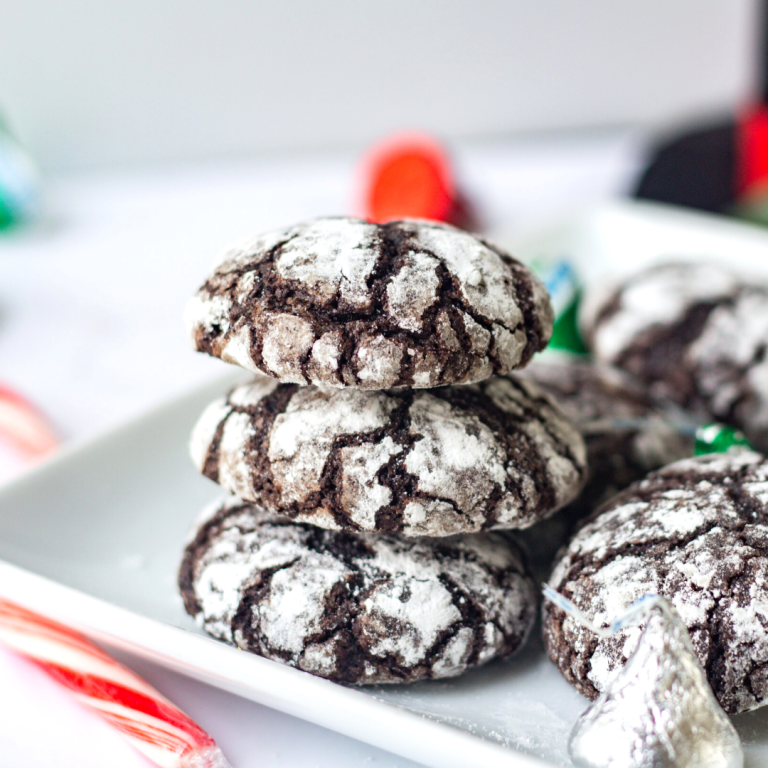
(346, 303)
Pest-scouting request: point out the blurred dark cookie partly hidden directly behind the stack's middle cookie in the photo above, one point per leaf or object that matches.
(626, 432)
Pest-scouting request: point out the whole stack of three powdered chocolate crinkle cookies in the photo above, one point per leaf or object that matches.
(380, 441)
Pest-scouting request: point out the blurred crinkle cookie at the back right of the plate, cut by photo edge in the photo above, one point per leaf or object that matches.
(693, 333)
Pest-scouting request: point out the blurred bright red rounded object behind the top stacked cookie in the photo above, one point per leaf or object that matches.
(409, 175)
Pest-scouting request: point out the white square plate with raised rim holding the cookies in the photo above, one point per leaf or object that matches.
(94, 538)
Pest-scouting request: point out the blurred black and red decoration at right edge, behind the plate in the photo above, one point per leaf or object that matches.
(720, 166)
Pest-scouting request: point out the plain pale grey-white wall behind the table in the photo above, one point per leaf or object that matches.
(92, 82)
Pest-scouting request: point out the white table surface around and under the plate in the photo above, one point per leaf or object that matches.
(90, 304)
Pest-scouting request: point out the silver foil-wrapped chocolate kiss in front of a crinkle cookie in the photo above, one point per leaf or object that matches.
(659, 711)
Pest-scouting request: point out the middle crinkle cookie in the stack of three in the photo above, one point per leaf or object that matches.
(498, 454)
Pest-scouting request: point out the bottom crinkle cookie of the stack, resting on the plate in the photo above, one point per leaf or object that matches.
(356, 608)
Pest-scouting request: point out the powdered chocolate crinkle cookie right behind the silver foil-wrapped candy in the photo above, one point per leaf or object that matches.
(695, 532)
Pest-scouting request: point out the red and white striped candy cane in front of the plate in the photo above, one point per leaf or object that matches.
(154, 726)
